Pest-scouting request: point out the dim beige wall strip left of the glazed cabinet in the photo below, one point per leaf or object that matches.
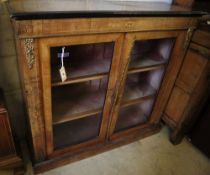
(9, 78)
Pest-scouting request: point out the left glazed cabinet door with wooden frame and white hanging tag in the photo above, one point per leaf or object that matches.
(77, 101)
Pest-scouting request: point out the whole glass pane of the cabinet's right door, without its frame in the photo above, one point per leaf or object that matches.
(148, 61)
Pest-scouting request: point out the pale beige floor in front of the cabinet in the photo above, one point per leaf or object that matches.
(154, 155)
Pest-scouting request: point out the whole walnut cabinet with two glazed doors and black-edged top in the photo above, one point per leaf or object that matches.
(120, 70)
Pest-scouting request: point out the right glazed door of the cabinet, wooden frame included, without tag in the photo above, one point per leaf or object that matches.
(150, 63)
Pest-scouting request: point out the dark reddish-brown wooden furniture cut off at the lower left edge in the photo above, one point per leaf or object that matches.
(9, 159)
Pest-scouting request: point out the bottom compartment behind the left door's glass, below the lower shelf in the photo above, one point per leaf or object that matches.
(77, 131)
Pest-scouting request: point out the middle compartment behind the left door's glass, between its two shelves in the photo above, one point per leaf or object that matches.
(78, 100)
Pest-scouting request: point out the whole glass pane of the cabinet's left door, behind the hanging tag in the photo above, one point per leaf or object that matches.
(78, 101)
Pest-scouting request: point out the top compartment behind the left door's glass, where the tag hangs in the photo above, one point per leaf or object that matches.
(82, 60)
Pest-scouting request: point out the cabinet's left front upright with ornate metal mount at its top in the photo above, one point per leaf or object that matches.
(28, 61)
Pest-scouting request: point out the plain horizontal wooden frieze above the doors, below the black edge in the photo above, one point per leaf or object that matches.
(47, 27)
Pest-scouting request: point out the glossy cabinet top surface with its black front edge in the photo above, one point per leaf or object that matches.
(50, 9)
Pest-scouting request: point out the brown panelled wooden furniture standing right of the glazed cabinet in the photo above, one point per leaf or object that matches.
(192, 86)
